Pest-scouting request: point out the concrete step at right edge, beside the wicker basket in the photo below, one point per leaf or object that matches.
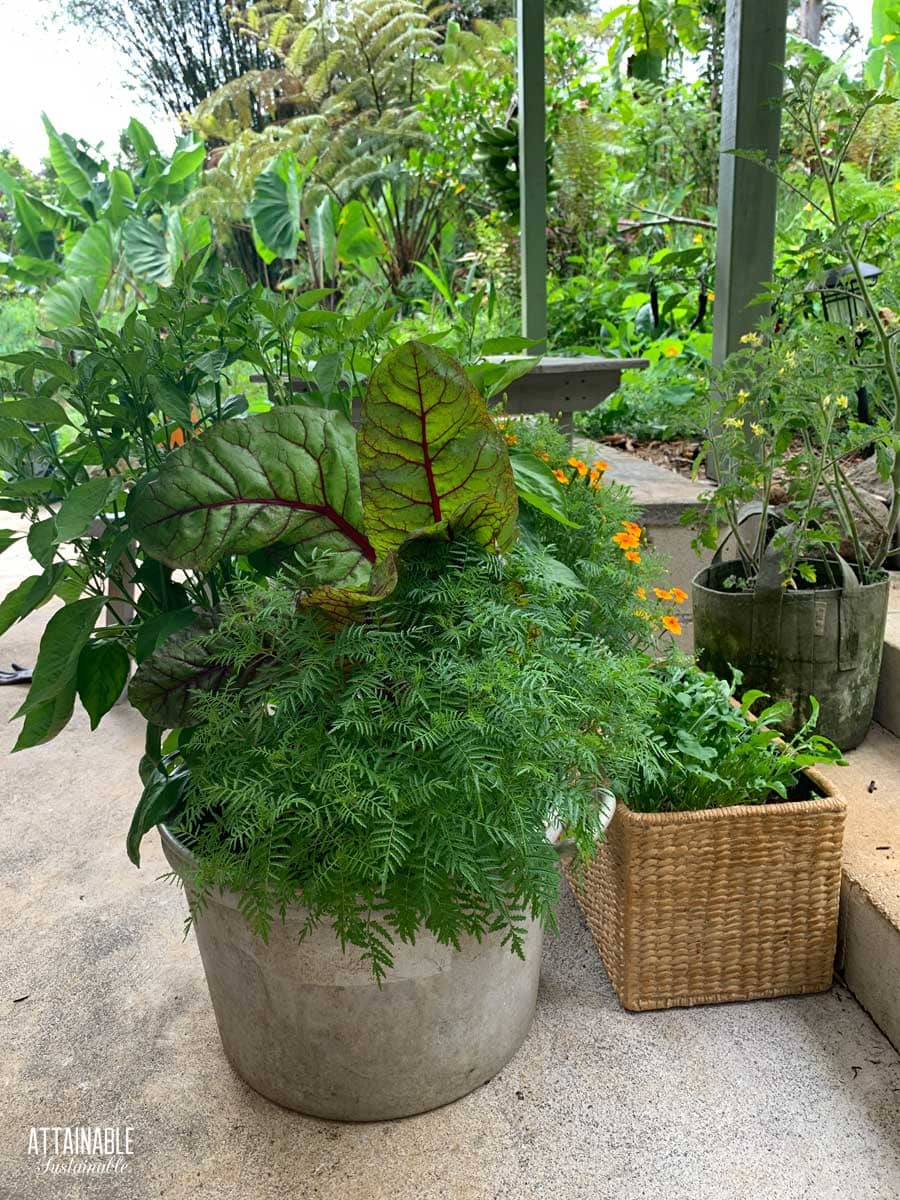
(869, 939)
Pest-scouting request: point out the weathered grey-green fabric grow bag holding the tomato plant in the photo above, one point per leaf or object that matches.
(793, 645)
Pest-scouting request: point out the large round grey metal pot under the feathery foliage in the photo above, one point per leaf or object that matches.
(308, 1027)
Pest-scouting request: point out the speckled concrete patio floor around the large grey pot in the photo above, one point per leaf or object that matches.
(106, 1022)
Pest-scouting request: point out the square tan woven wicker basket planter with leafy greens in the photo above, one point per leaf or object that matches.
(722, 905)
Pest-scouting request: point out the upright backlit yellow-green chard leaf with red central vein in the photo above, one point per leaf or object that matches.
(429, 448)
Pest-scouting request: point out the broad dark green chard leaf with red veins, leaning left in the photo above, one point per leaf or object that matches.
(287, 476)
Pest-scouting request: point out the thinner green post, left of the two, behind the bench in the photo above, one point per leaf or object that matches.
(532, 170)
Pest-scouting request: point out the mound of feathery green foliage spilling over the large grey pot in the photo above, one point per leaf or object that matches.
(401, 772)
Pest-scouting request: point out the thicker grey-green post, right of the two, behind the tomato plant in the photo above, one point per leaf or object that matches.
(755, 34)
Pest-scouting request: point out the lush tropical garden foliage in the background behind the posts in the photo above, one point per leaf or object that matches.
(373, 151)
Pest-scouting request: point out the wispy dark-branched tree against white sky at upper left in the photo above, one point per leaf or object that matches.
(181, 51)
